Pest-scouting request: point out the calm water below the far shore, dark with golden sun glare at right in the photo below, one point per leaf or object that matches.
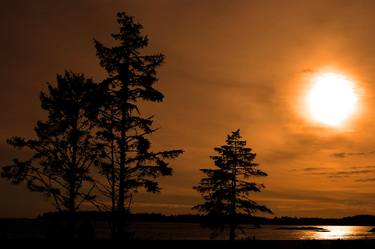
(192, 231)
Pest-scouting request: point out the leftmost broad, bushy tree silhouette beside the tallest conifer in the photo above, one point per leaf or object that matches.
(63, 150)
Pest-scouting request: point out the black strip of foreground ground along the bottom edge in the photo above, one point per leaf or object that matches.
(180, 244)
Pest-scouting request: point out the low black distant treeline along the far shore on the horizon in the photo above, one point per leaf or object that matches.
(360, 220)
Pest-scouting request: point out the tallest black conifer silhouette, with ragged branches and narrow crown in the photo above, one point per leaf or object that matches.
(130, 78)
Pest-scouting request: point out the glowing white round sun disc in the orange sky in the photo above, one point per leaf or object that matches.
(332, 99)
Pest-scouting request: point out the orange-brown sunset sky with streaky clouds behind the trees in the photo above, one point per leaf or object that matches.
(229, 65)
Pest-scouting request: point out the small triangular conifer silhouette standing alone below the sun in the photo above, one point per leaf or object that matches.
(226, 188)
